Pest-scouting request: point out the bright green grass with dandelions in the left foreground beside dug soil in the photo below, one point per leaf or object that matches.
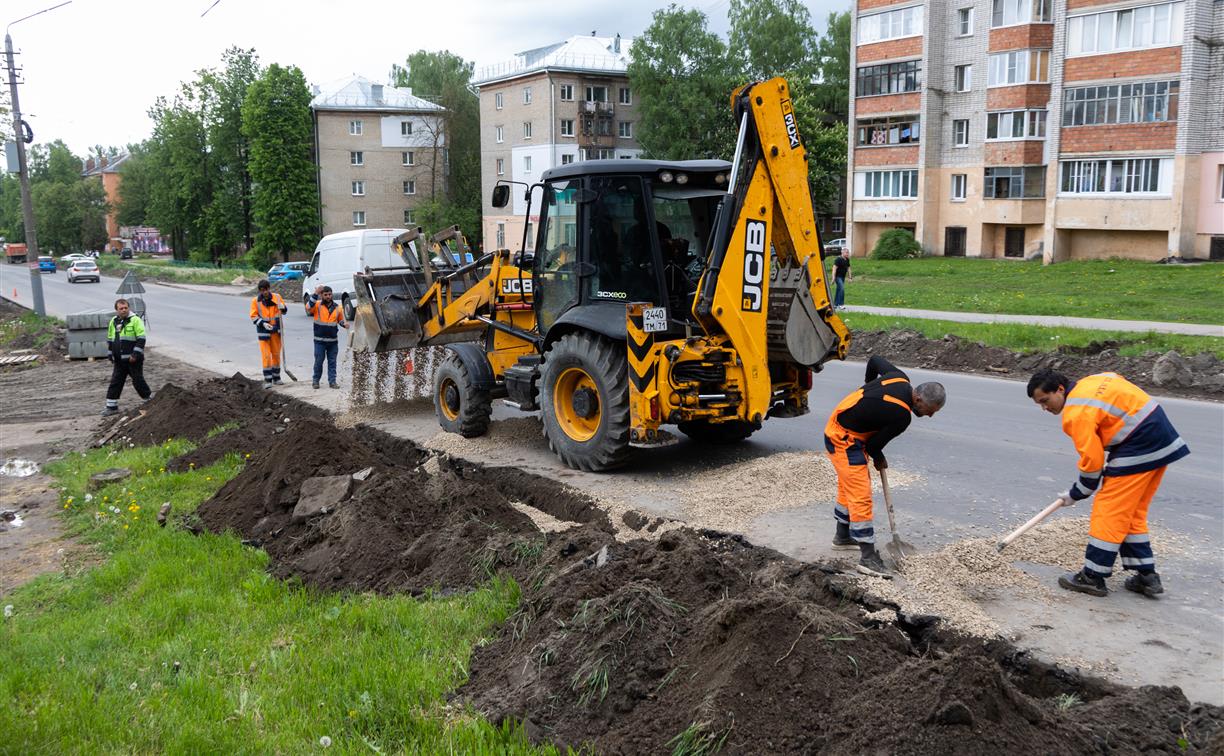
(185, 644)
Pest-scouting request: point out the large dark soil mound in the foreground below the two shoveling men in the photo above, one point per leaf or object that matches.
(701, 642)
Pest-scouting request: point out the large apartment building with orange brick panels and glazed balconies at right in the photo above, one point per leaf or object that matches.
(1063, 129)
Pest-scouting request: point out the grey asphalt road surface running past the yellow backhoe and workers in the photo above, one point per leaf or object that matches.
(988, 462)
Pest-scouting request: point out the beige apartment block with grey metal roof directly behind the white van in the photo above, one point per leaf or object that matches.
(380, 151)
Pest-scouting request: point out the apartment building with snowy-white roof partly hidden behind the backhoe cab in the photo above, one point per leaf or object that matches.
(548, 107)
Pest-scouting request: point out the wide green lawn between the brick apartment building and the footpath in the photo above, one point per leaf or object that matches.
(1102, 289)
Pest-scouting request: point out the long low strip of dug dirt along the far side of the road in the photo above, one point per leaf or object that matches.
(1201, 376)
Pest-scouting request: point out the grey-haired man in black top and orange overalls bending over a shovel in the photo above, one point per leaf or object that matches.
(860, 429)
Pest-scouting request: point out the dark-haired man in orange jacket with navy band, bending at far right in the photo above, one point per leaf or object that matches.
(1107, 413)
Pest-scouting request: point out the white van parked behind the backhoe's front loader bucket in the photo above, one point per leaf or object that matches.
(340, 256)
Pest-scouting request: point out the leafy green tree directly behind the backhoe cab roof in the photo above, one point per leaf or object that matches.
(684, 79)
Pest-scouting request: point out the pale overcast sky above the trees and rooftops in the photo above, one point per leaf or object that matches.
(94, 69)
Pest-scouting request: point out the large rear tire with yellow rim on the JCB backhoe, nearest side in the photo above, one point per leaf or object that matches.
(584, 401)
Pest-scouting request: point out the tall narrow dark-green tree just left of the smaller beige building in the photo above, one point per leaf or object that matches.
(278, 127)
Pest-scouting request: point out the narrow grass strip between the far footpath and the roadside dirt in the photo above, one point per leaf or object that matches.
(1040, 338)
